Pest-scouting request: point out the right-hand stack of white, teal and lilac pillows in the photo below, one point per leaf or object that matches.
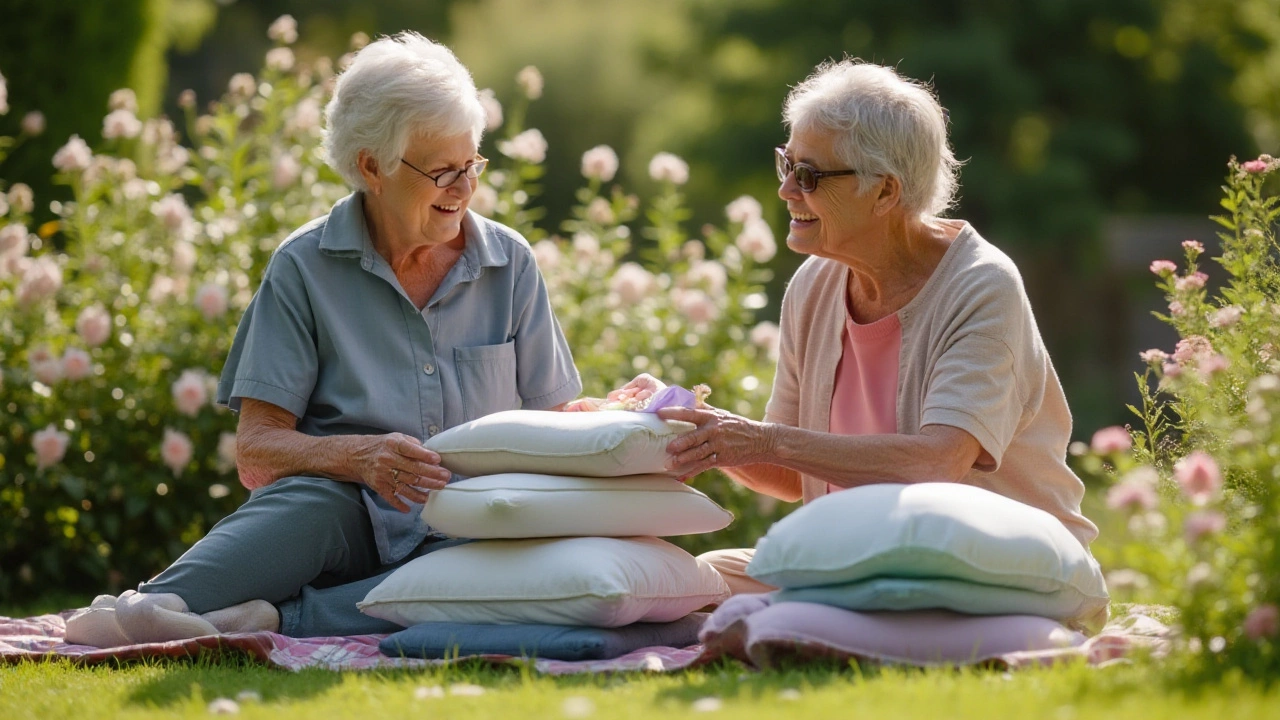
(924, 575)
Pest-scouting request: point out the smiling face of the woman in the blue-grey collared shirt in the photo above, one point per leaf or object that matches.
(418, 212)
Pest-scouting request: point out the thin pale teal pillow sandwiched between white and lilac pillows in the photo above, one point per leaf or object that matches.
(936, 594)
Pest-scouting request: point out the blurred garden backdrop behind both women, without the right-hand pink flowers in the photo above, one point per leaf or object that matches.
(634, 148)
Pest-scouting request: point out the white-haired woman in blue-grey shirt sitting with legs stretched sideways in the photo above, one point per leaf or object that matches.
(397, 316)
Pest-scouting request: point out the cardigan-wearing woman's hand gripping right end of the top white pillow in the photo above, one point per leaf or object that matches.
(723, 440)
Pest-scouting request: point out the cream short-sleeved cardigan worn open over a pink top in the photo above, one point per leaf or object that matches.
(972, 358)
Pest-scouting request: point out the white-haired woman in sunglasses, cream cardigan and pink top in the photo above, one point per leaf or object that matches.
(909, 352)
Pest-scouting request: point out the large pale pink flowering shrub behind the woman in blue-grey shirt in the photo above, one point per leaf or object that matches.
(116, 320)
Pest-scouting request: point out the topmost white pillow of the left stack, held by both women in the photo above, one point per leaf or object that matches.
(589, 445)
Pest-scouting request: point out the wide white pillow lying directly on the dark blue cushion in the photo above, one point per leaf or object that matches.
(593, 582)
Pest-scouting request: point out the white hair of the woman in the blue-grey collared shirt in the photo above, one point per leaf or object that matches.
(395, 89)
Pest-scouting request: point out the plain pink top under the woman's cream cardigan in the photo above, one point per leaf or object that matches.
(865, 400)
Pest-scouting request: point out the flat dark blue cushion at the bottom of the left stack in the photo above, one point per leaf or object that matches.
(436, 641)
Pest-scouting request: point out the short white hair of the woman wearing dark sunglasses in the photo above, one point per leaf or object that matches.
(884, 125)
